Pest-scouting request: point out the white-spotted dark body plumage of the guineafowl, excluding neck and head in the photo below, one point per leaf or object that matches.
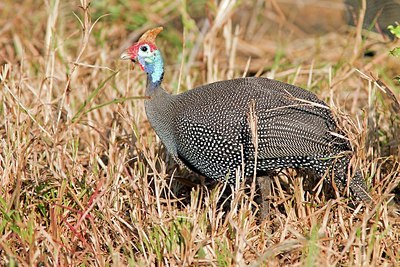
(214, 126)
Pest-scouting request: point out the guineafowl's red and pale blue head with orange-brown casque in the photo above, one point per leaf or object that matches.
(145, 52)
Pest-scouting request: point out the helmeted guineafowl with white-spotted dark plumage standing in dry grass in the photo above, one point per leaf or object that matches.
(248, 126)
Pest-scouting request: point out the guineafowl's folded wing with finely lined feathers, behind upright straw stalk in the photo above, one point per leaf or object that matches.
(295, 123)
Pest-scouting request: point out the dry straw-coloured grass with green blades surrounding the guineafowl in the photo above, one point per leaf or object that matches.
(83, 178)
